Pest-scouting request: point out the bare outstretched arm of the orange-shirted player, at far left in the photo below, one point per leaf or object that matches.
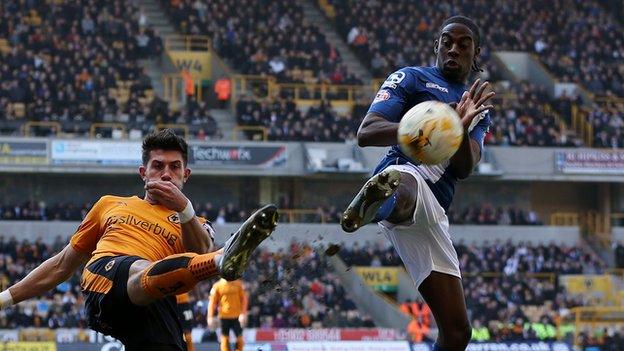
(49, 274)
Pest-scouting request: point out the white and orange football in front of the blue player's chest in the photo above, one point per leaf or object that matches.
(430, 132)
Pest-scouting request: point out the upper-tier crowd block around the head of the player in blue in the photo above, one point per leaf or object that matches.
(579, 41)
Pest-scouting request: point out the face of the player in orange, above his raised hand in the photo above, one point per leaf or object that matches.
(166, 166)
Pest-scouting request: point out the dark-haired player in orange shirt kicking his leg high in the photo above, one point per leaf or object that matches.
(141, 252)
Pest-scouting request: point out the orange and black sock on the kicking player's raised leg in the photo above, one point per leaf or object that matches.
(177, 274)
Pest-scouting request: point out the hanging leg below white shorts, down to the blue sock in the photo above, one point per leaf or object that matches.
(445, 296)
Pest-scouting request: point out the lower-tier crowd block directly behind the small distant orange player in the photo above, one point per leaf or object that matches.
(293, 288)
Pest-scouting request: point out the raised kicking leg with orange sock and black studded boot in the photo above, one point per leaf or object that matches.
(180, 273)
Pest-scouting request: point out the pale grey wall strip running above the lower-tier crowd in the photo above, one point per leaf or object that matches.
(323, 234)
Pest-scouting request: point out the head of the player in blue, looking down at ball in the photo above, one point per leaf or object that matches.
(456, 51)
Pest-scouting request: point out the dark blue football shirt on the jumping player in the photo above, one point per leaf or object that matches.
(403, 90)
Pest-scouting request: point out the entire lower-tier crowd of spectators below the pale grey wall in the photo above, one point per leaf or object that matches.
(296, 288)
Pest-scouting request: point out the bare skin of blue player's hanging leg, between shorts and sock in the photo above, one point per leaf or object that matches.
(445, 296)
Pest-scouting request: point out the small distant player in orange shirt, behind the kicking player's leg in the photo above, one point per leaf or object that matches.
(231, 299)
